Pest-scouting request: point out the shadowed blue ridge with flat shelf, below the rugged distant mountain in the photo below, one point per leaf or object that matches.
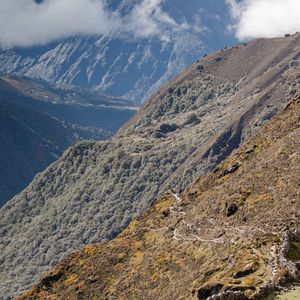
(73, 105)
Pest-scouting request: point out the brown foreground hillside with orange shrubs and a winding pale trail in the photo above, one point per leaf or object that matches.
(234, 232)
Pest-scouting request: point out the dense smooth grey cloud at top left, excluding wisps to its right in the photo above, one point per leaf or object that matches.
(25, 23)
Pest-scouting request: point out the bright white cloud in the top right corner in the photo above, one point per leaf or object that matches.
(264, 18)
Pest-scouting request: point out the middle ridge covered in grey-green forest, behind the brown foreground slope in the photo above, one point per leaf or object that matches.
(187, 127)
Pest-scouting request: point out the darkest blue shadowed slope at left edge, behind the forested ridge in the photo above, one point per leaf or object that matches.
(29, 142)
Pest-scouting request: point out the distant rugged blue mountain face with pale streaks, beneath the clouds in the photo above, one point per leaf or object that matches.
(120, 64)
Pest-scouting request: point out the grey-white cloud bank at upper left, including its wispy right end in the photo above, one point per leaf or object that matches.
(24, 23)
